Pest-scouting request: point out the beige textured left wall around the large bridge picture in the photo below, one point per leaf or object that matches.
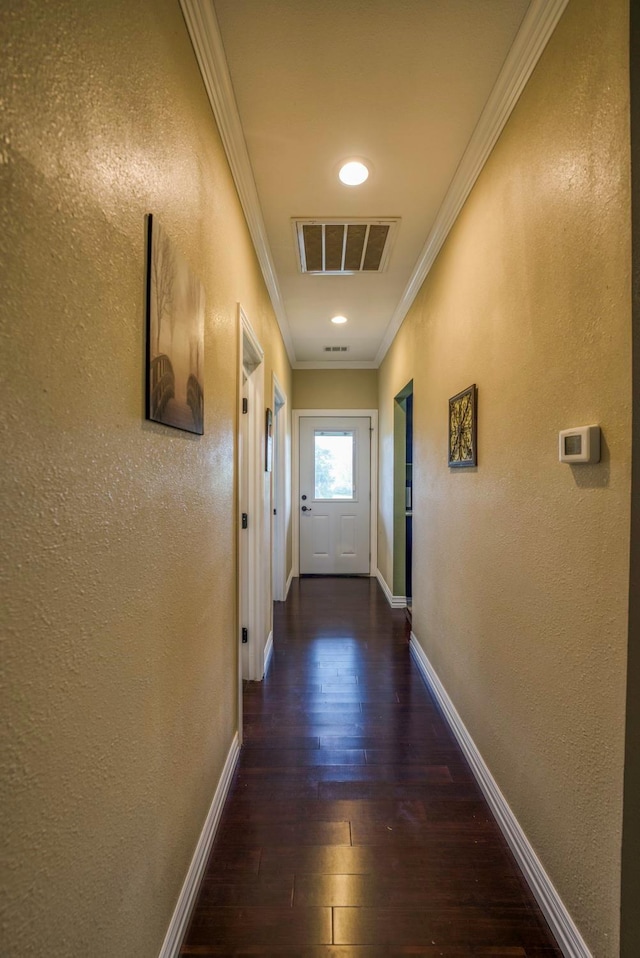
(119, 535)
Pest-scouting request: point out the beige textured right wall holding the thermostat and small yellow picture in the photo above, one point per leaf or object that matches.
(521, 565)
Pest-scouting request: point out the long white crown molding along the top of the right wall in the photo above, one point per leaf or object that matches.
(535, 31)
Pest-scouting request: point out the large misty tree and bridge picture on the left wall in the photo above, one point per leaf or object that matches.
(175, 336)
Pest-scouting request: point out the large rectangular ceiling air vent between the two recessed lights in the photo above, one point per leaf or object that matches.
(342, 247)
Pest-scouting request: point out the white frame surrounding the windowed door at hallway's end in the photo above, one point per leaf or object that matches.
(295, 457)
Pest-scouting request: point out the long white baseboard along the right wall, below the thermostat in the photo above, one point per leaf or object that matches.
(567, 935)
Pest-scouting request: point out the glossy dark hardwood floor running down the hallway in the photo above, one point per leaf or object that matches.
(354, 828)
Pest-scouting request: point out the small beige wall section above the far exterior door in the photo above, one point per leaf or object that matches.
(335, 388)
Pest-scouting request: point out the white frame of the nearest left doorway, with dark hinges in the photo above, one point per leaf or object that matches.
(253, 594)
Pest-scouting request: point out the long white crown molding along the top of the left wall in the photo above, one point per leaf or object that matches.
(204, 32)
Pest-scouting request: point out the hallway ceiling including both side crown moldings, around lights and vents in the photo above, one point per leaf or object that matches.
(419, 88)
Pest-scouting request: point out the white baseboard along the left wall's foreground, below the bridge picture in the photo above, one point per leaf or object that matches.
(189, 892)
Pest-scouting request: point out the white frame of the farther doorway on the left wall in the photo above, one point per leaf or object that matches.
(281, 495)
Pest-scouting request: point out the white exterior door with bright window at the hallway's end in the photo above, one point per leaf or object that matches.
(334, 506)
